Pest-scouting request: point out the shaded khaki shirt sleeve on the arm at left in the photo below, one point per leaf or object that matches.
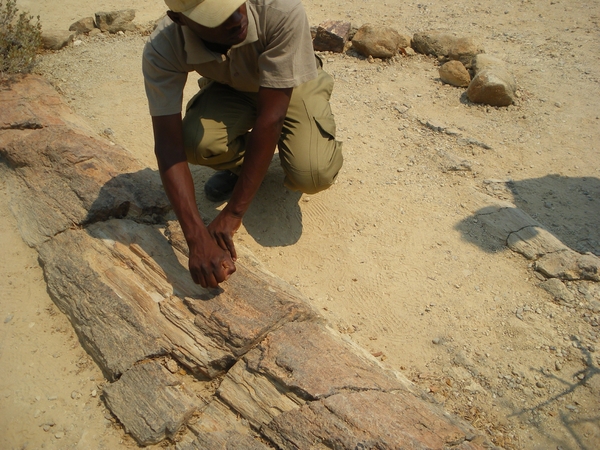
(165, 70)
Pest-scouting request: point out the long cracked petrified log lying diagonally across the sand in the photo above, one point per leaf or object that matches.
(271, 372)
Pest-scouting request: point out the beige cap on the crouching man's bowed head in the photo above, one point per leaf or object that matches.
(209, 13)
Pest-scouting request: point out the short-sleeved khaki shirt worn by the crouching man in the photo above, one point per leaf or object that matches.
(277, 53)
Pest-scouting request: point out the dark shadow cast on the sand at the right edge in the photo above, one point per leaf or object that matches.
(568, 207)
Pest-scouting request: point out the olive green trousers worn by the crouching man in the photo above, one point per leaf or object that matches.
(218, 119)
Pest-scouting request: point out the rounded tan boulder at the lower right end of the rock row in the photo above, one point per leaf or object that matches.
(495, 87)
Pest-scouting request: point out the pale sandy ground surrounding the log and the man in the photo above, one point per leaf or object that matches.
(393, 254)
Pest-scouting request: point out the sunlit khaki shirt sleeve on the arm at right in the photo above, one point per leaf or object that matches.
(288, 59)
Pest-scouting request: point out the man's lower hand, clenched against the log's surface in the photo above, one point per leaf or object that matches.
(209, 264)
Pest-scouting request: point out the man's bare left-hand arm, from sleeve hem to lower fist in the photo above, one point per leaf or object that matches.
(209, 264)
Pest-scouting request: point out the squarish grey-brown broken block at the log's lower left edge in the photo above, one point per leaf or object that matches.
(150, 403)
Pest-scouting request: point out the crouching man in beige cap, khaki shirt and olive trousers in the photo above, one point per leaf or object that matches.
(262, 88)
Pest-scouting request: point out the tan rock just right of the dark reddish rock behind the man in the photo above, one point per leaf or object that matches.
(378, 42)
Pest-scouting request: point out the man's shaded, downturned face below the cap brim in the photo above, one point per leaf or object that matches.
(231, 32)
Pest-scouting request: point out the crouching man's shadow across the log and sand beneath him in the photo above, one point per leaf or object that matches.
(274, 218)
